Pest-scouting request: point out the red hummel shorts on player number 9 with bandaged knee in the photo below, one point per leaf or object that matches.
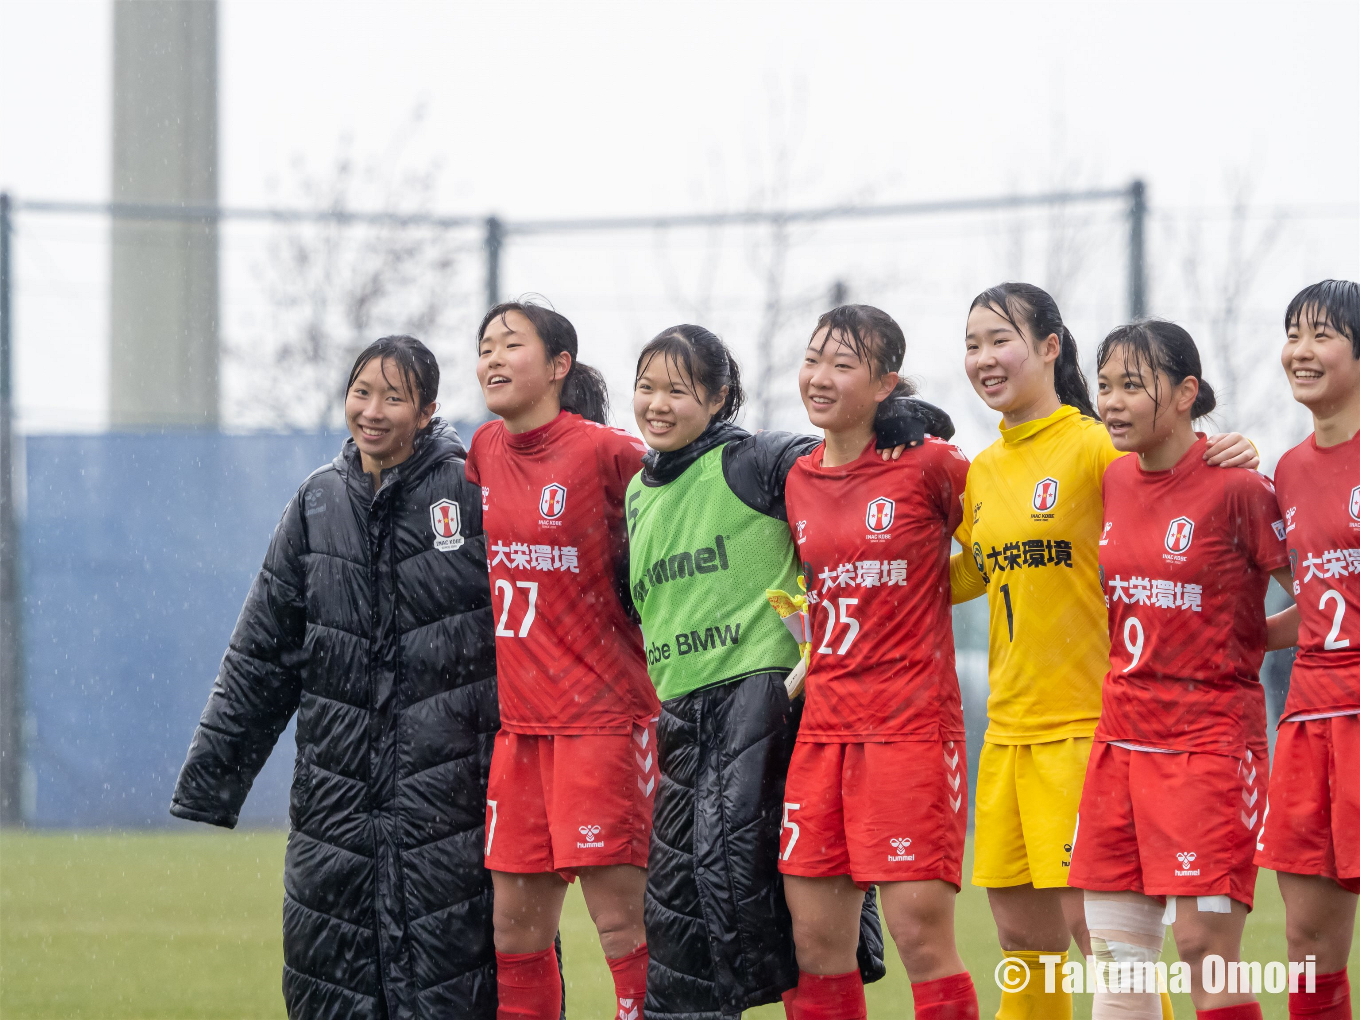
(1169, 825)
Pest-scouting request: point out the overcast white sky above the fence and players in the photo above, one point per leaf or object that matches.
(562, 109)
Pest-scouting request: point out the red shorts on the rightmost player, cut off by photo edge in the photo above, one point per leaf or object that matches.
(1313, 819)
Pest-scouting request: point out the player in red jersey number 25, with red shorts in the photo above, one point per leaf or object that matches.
(883, 712)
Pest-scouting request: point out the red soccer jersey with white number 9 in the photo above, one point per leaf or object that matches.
(1185, 560)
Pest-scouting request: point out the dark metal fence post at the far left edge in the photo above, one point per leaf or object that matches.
(12, 681)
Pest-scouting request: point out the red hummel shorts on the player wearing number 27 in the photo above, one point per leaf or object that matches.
(562, 803)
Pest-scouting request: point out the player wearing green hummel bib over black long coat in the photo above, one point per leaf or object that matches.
(708, 537)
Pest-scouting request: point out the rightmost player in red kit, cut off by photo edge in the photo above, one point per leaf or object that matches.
(1312, 832)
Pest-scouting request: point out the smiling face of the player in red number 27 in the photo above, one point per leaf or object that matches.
(517, 377)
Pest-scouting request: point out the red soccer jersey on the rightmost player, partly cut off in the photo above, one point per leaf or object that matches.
(1320, 494)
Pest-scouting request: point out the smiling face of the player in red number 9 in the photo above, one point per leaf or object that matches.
(1140, 409)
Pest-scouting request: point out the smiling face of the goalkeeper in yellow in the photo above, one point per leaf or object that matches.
(1006, 367)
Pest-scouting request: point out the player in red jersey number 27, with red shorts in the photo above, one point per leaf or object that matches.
(573, 773)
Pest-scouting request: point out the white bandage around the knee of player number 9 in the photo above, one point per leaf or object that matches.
(1127, 939)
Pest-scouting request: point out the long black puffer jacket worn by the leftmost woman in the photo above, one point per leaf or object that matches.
(383, 644)
